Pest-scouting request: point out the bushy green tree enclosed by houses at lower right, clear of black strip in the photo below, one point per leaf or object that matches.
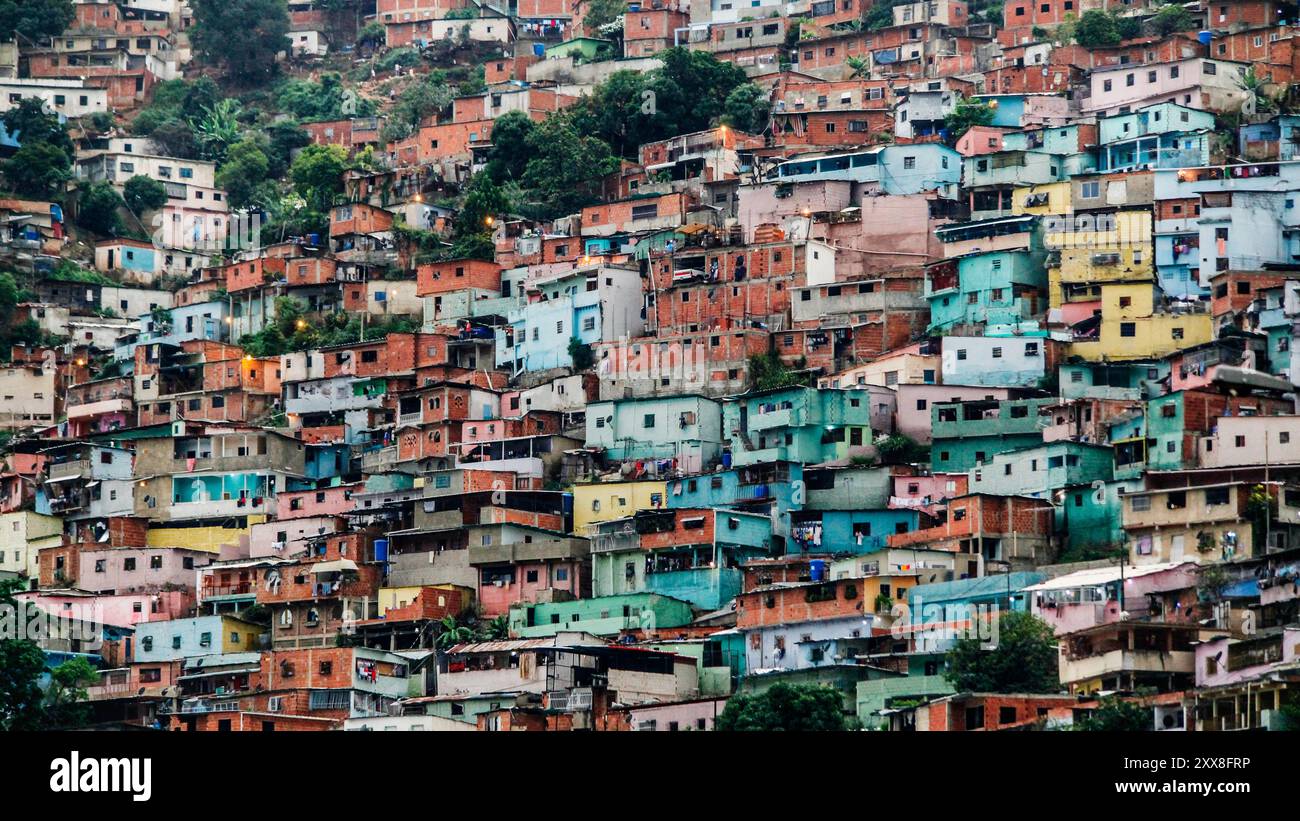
(1022, 661)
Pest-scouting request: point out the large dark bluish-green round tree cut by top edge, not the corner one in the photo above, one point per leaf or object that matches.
(244, 36)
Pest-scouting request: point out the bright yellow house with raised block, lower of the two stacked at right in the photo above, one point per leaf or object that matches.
(1134, 327)
